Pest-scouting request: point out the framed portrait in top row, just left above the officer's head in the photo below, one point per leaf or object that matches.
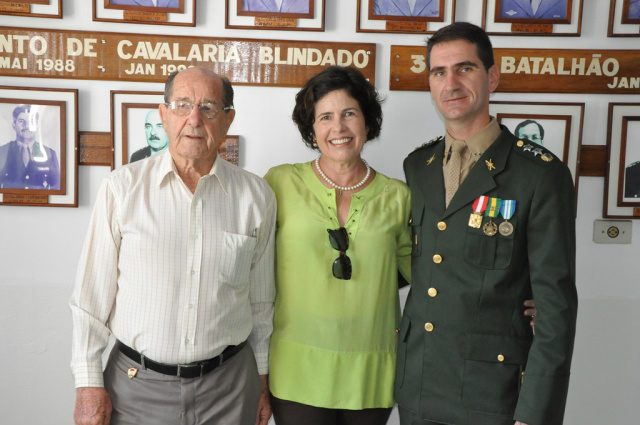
(404, 16)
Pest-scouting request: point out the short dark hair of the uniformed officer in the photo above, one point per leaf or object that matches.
(467, 32)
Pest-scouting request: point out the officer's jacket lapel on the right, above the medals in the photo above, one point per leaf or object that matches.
(481, 178)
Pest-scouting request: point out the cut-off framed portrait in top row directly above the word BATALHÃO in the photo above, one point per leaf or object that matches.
(532, 17)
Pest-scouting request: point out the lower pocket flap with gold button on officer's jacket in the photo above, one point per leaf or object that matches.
(497, 349)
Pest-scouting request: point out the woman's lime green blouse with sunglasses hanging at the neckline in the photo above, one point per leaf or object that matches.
(334, 341)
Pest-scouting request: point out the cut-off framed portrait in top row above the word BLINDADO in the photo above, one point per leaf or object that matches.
(296, 15)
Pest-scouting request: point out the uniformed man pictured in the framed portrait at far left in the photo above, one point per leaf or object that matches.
(26, 163)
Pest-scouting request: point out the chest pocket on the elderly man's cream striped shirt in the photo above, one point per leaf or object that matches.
(236, 256)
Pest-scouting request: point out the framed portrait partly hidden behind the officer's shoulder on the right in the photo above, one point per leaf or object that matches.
(556, 127)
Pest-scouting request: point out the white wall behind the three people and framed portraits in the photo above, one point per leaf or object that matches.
(40, 247)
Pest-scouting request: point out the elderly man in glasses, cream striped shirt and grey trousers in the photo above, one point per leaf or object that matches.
(178, 267)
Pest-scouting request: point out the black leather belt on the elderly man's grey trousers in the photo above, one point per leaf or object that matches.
(193, 370)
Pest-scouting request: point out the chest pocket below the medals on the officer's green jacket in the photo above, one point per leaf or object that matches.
(489, 252)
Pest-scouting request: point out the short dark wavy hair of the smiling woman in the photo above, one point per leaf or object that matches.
(331, 79)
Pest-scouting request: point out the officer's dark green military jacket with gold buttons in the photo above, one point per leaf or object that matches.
(466, 353)
